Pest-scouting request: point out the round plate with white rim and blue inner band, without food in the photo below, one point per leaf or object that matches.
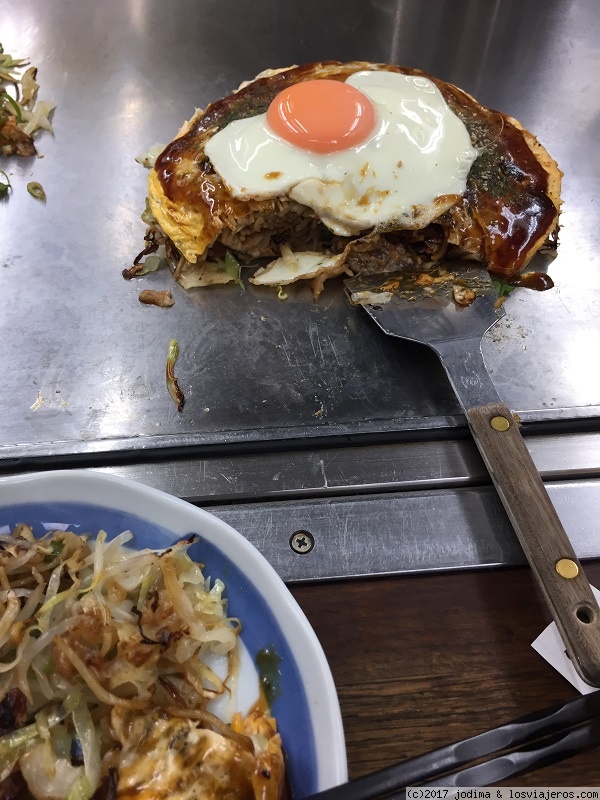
(306, 705)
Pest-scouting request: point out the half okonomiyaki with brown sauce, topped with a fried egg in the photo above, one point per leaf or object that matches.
(419, 173)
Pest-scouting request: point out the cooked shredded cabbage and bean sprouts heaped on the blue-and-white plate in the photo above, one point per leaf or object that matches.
(89, 627)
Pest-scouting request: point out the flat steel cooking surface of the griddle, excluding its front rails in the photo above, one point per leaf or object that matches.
(73, 329)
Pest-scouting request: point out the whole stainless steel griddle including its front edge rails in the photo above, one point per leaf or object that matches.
(304, 412)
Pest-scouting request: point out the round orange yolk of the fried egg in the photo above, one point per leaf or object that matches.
(321, 116)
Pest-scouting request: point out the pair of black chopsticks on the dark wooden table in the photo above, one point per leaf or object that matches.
(544, 737)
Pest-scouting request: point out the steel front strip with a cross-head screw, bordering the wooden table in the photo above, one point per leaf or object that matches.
(407, 532)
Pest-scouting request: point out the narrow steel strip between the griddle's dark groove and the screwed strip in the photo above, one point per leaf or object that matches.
(353, 470)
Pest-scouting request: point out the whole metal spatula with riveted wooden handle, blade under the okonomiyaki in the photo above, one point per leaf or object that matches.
(422, 307)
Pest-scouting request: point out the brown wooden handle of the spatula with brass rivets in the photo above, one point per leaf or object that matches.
(541, 534)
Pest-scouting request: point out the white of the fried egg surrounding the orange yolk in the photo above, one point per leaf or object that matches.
(411, 168)
